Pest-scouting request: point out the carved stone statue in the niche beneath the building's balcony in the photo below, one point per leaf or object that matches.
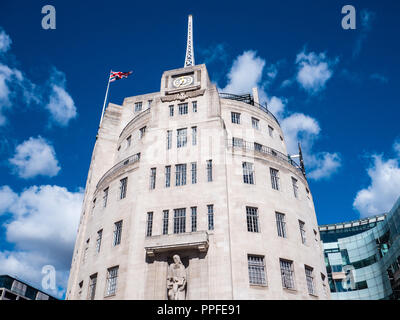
(176, 280)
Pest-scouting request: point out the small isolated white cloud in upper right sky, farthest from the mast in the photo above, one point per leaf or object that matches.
(314, 70)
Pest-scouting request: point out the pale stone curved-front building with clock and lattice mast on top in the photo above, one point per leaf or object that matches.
(193, 188)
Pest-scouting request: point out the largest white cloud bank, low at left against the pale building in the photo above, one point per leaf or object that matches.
(43, 230)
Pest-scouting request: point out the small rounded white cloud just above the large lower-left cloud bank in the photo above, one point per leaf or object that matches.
(35, 157)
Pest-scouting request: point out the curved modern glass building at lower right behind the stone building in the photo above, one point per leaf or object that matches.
(362, 257)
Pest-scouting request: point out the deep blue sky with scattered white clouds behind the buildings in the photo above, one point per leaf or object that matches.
(335, 90)
